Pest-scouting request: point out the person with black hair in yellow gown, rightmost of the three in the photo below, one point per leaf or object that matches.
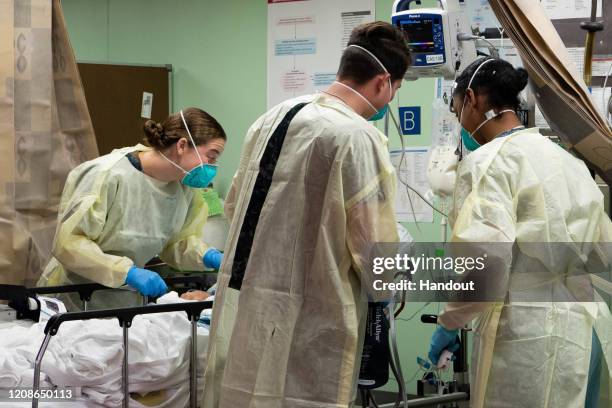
(522, 194)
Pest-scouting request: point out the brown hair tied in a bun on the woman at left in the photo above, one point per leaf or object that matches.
(202, 126)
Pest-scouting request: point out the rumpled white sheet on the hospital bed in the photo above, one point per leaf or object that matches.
(89, 355)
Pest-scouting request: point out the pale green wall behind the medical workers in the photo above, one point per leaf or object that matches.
(218, 52)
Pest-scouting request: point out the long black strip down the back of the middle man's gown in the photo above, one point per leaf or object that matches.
(267, 164)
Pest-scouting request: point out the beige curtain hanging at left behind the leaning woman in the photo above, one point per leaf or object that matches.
(45, 131)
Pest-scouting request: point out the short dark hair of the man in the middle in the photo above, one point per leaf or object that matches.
(382, 39)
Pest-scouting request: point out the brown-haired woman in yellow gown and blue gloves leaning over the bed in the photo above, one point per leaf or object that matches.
(122, 209)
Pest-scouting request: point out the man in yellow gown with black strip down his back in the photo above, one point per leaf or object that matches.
(313, 193)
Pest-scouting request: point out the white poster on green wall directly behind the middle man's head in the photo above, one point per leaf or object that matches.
(305, 42)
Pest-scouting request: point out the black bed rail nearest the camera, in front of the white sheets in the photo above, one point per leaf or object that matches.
(125, 317)
